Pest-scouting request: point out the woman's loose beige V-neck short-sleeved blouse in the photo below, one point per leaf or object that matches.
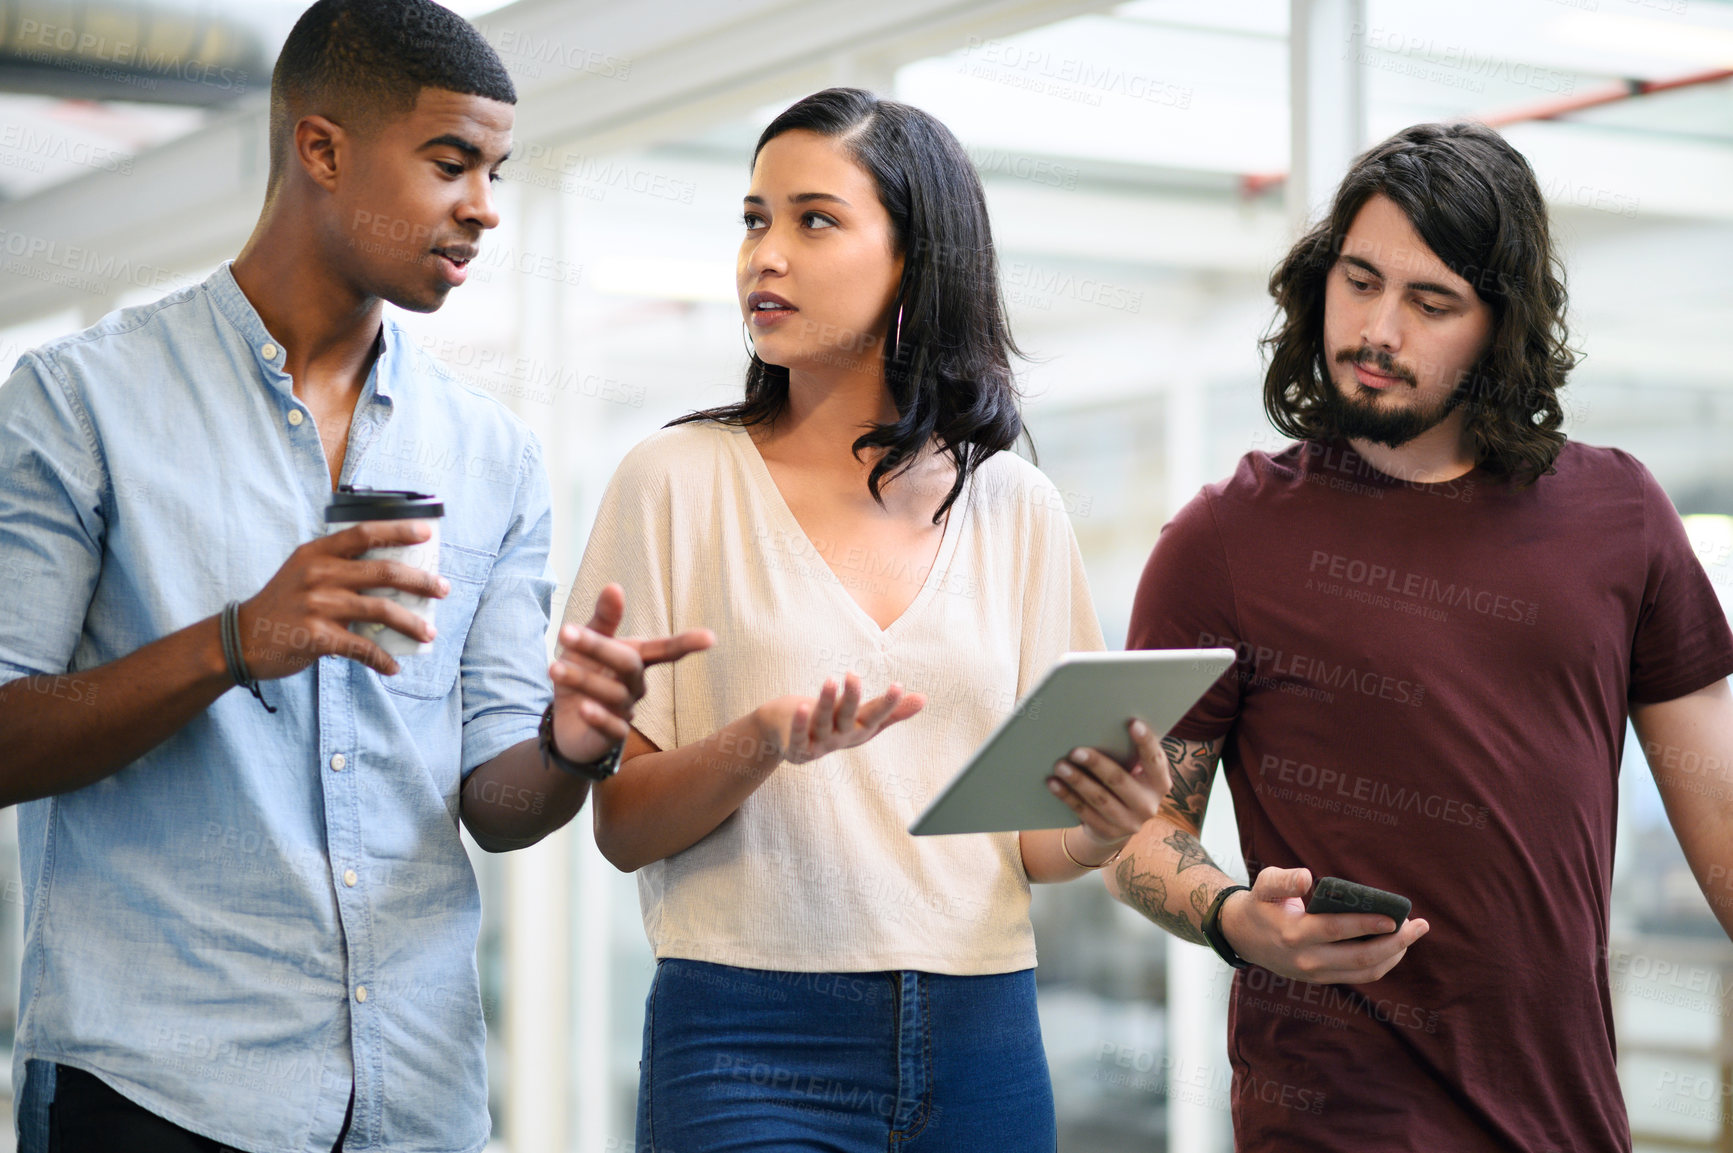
(817, 870)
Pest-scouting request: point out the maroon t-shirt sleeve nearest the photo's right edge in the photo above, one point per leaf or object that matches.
(1682, 637)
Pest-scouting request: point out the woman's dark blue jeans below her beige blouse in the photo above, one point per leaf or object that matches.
(841, 1062)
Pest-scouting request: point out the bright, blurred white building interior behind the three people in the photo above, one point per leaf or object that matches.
(1146, 166)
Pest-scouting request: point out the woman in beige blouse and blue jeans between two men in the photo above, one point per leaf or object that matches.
(826, 980)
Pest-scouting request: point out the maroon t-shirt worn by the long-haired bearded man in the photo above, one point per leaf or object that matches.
(1431, 698)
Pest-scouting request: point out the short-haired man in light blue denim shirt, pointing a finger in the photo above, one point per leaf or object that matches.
(250, 928)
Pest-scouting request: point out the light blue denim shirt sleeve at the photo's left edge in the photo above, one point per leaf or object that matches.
(53, 497)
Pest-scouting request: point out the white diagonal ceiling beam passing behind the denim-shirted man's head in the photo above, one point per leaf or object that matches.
(590, 79)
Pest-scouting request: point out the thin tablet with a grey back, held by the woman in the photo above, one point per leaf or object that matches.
(1084, 701)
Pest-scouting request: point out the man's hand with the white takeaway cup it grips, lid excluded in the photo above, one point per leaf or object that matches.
(332, 583)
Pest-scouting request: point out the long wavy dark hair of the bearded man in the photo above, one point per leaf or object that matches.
(1477, 205)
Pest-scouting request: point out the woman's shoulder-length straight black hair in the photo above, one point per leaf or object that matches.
(949, 368)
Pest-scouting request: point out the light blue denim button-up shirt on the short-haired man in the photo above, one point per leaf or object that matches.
(266, 909)
